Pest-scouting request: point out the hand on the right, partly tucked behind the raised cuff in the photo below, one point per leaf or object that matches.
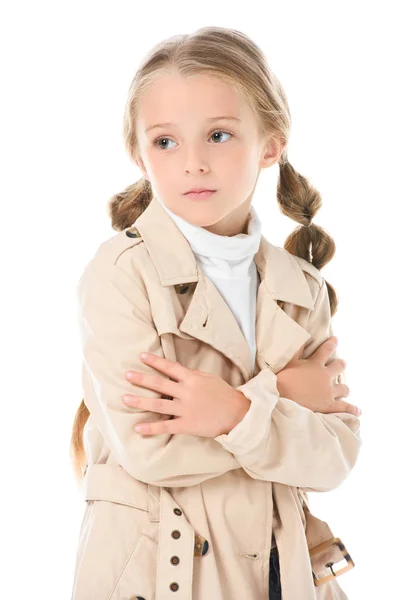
(310, 382)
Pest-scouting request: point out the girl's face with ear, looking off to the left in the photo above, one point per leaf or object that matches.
(196, 150)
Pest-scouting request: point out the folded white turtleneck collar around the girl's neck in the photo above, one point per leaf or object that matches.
(204, 243)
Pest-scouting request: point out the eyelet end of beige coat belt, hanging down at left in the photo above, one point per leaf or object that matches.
(178, 542)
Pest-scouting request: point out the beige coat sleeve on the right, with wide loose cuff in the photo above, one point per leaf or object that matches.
(281, 441)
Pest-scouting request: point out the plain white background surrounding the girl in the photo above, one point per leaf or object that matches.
(65, 72)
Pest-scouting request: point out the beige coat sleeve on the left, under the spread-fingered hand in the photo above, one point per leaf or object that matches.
(115, 326)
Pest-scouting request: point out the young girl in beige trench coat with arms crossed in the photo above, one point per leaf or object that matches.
(214, 505)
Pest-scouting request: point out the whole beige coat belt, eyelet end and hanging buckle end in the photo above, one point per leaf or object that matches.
(178, 542)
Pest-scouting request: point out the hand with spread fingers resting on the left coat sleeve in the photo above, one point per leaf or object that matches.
(202, 404)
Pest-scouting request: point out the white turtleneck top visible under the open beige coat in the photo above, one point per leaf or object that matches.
(229, 262)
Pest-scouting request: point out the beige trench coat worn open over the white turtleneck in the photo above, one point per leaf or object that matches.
(186, 517)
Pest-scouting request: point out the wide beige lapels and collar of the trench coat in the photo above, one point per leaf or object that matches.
(208, 316)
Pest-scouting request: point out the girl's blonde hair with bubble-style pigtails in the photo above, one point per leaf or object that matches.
(232, 57)
